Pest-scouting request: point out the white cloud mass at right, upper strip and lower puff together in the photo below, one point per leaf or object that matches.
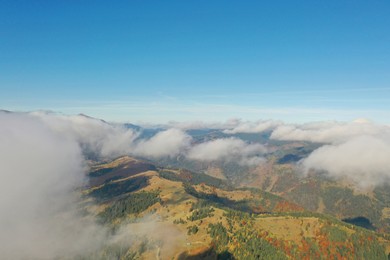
(358, 150)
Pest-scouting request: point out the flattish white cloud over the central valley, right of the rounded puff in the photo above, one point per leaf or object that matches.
(228, 149)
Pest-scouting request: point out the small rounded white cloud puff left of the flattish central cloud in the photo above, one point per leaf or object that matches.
(169, 143)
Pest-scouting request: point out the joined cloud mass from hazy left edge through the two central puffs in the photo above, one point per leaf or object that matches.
(42, 165)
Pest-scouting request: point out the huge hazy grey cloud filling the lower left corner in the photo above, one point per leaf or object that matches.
(39, 172)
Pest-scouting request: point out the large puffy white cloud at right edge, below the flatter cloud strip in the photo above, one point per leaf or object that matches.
(364, 159)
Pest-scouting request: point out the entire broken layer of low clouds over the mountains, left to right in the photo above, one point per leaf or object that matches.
(42, 164)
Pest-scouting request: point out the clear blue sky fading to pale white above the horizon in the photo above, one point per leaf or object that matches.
(155, 61)
